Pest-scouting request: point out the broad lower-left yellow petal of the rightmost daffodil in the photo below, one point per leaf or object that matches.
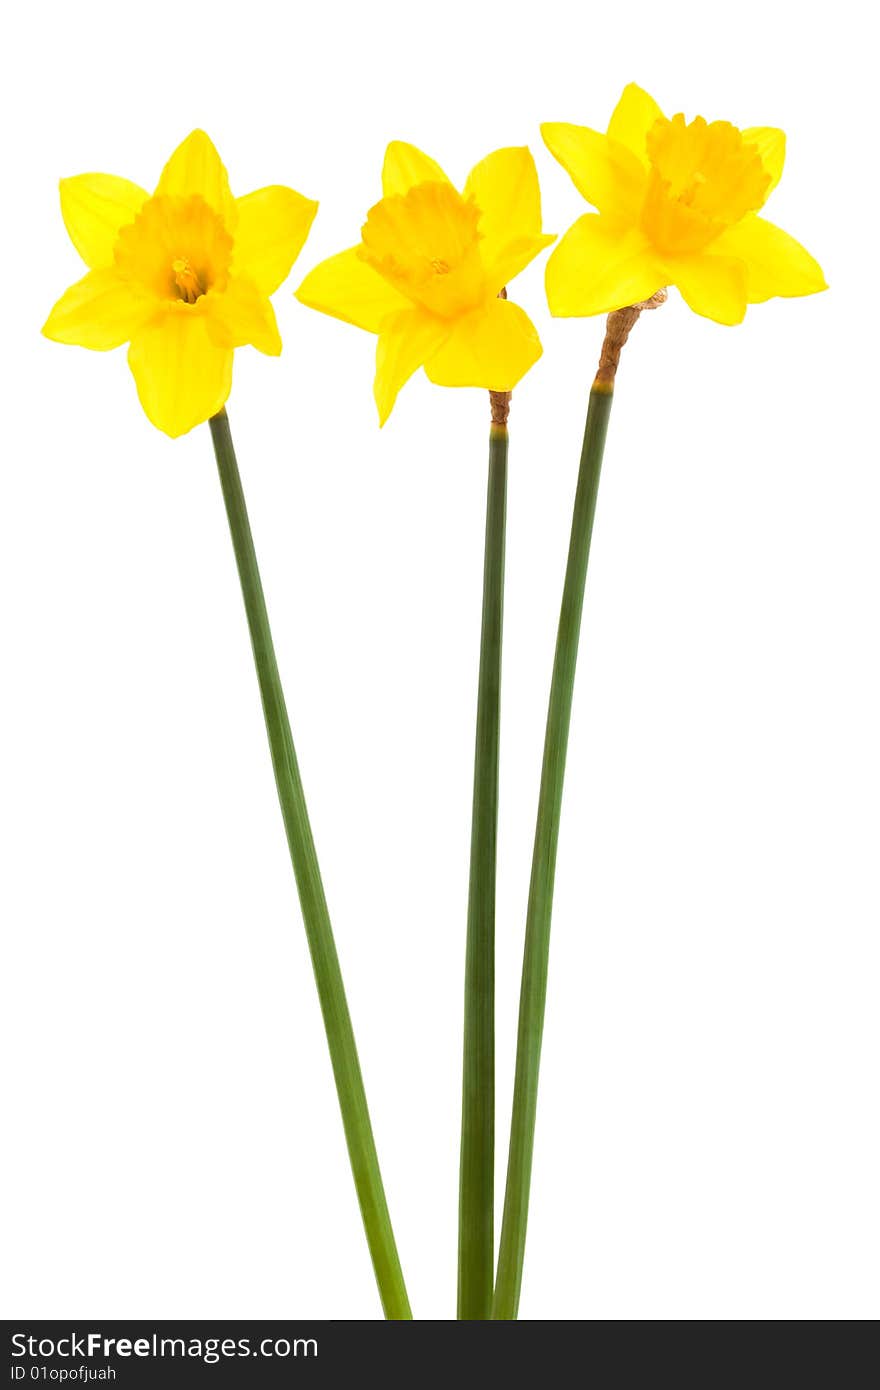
(597, 269)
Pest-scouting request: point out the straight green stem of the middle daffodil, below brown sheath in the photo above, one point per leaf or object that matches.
(478, 1164)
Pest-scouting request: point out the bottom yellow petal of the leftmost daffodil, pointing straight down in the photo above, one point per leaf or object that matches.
(183, 376)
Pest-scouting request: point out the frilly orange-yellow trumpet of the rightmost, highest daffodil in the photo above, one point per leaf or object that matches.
(704, 177)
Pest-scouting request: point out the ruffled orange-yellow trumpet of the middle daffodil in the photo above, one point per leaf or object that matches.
(426, 244)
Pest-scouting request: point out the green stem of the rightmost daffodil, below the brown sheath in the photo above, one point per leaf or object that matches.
(533, 993)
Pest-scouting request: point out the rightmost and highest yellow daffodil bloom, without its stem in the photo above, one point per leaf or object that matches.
(678, 205)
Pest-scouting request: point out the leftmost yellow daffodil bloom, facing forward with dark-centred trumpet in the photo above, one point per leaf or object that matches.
(183, 276)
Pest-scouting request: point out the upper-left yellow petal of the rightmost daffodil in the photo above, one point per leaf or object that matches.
(603, 170)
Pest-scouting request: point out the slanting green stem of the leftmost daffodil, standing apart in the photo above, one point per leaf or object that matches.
(325, 960)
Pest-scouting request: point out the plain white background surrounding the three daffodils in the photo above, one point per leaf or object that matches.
(708, 1140)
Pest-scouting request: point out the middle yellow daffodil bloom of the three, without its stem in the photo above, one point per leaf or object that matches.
(429, 270)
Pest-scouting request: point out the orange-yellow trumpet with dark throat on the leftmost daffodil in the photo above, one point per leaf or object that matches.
(177, 248)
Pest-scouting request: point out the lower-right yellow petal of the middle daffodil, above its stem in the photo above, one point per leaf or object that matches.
(491, 348)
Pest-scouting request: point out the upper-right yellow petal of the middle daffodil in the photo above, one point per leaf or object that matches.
(505, 188)
